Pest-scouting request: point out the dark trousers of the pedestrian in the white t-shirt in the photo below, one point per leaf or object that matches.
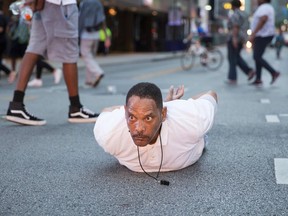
(259, 46)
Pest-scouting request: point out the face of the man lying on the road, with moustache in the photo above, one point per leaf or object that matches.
(144, 120)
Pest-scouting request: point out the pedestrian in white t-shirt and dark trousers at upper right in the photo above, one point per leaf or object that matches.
(263, 30)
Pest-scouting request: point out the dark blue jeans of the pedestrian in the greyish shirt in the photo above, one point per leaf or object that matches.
(235, 59)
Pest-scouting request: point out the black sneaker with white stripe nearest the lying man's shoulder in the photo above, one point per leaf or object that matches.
(81, 115)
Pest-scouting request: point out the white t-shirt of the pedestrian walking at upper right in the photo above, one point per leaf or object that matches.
(268, 29)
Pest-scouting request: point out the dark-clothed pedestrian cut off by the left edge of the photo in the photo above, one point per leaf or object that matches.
(3, 41)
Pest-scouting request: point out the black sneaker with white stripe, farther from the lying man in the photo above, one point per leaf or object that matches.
(18, 114)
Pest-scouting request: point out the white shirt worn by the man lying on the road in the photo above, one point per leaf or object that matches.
(182, 135)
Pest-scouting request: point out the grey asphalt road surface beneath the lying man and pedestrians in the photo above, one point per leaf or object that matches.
(58, 169)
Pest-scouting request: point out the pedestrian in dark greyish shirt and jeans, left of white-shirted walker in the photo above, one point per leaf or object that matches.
(238, 25)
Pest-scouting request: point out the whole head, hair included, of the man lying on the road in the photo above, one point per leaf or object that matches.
(144, 113)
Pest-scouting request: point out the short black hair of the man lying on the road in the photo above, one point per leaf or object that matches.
(146, 90)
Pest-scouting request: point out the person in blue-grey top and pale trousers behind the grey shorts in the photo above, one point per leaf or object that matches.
(91, 20)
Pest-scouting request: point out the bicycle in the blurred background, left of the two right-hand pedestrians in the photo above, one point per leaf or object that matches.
(210, 57)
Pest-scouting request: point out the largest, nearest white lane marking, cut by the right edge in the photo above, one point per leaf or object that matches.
(281, 170)
